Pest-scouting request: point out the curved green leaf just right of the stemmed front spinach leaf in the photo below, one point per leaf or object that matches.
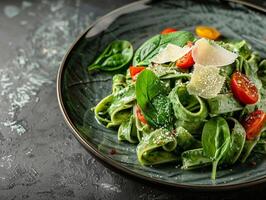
(237, 141)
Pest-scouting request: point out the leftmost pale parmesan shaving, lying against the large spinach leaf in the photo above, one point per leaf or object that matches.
(170, 53)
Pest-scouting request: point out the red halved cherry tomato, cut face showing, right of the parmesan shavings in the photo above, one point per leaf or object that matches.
(244, 89)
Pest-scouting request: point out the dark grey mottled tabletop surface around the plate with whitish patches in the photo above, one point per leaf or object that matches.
(39, 156)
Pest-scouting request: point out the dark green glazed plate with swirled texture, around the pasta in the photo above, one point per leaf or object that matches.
(78, 91)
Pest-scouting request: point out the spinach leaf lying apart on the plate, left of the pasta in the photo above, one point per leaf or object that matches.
(116, 55)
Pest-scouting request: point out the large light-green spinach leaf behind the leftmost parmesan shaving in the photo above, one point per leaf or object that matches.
(152, 46)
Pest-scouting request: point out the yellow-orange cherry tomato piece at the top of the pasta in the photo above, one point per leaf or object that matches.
(208, 32)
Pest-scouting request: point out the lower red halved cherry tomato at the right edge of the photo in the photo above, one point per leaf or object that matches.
(254, 123)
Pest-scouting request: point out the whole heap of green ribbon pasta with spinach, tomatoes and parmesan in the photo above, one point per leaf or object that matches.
(153, 106)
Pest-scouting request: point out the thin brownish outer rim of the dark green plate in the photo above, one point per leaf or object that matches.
(109, 161)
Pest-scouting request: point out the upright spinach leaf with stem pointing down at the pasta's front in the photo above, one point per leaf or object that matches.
(215, 141)
